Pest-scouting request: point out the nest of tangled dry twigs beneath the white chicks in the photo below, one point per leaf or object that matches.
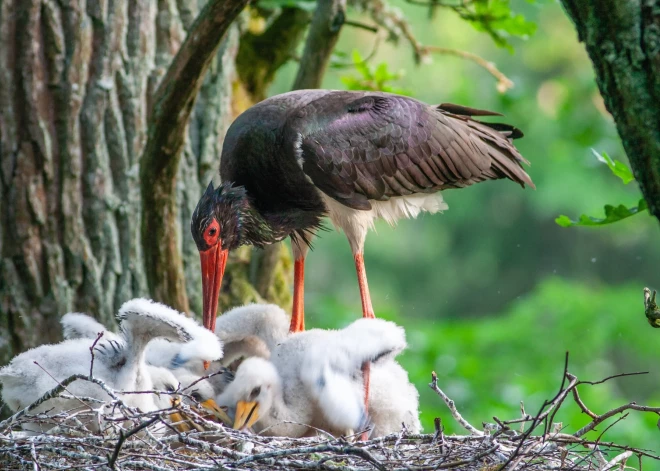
(114, 436)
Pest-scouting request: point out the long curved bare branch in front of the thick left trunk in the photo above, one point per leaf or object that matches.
(173, 104)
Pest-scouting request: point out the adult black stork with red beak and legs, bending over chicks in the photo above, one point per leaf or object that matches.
(290, 160)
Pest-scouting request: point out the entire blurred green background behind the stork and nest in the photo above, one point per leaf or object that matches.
(492, 292)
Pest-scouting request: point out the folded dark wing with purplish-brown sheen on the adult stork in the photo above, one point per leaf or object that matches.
(357, 147)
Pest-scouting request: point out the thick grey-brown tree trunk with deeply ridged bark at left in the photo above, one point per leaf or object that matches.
(77, 80)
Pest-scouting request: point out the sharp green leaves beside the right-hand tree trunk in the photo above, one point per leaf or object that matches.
(612, 213)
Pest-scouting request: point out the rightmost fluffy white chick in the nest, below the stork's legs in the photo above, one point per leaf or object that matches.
(314, 378)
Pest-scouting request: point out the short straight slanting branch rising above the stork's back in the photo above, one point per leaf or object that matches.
(323, 34)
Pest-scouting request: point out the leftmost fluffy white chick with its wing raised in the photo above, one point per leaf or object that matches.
(119, 359)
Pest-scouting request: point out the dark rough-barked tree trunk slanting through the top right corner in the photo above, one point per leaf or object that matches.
(622, 38)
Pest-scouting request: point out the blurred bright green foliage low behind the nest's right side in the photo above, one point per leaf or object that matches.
(489, 365)
